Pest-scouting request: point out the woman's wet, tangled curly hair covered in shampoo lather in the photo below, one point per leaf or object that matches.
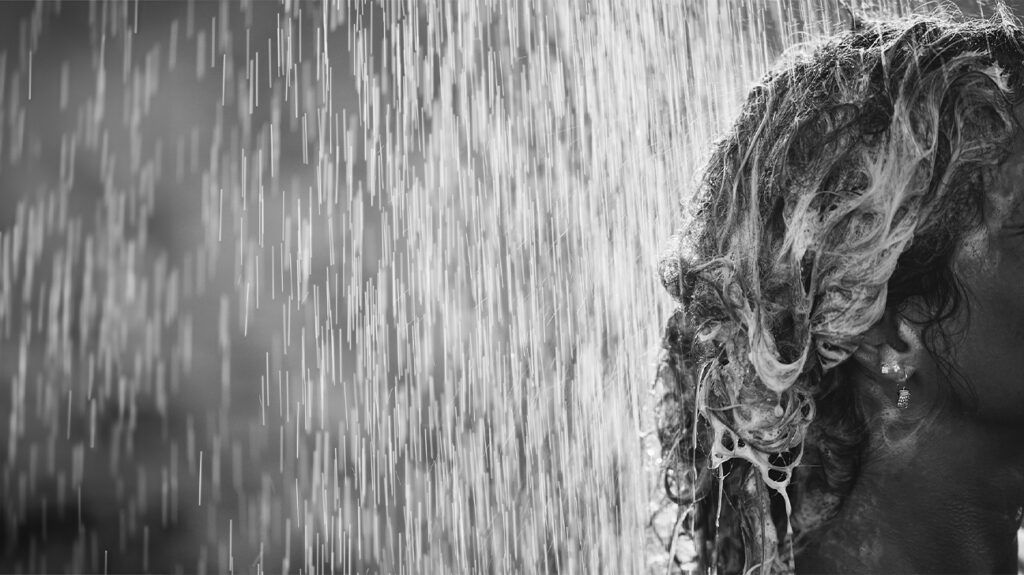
(842, 192)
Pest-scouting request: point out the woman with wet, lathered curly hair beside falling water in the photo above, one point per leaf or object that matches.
(845, 375)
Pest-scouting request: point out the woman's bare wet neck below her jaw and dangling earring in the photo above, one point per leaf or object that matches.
(947, 500)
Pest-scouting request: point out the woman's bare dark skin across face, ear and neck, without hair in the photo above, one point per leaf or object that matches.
(946, 493)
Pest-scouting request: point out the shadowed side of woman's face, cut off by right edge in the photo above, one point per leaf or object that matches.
(991, 264)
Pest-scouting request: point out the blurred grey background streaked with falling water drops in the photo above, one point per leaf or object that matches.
(353, 287)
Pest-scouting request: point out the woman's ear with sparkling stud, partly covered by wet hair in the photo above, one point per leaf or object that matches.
(891, 349)
